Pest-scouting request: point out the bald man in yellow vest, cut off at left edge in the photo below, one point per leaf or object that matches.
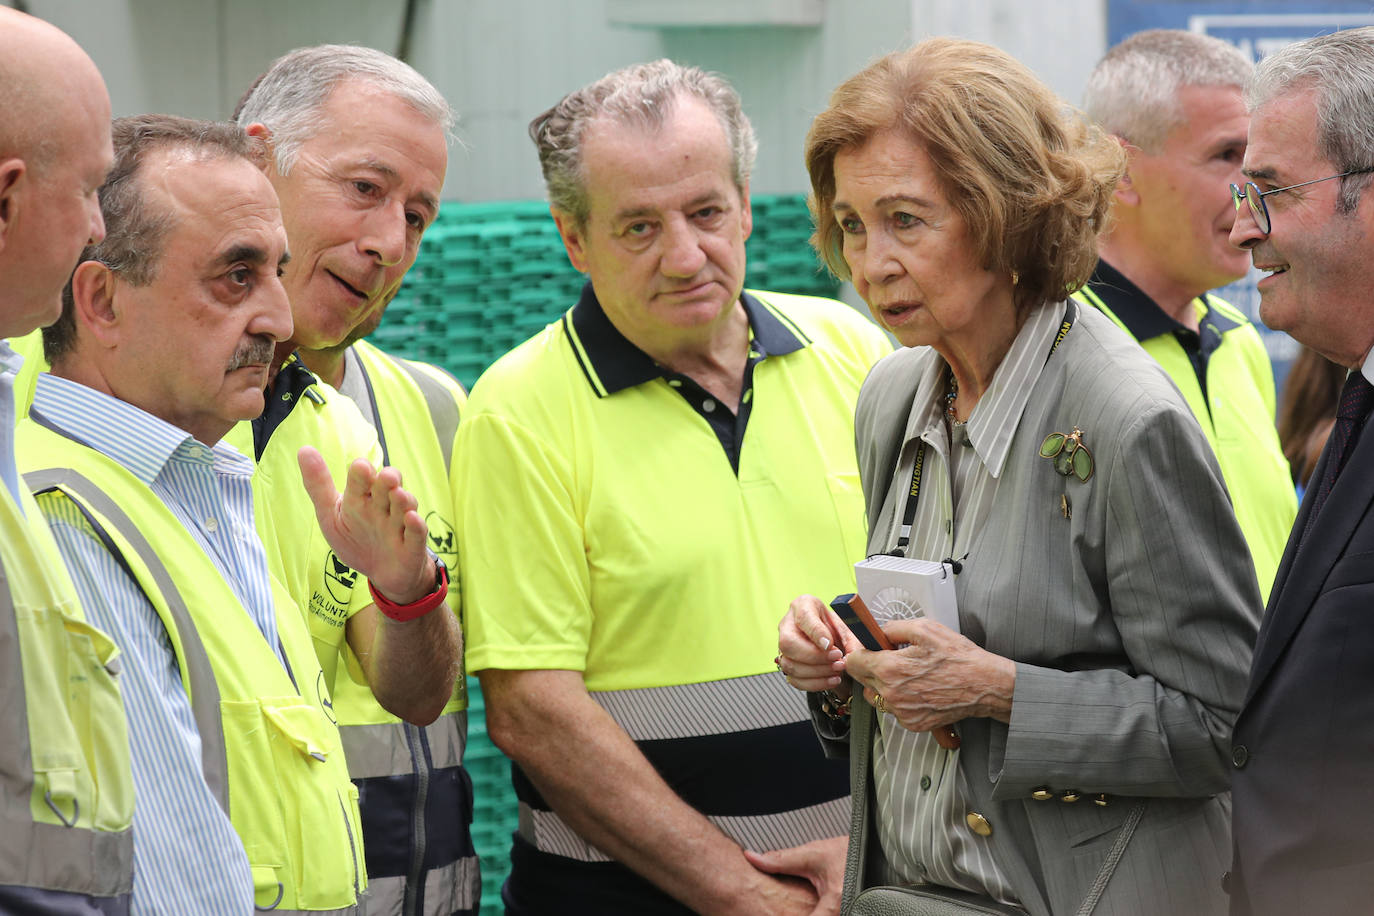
(67, 794)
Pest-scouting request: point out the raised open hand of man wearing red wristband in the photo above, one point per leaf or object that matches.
(373, 527)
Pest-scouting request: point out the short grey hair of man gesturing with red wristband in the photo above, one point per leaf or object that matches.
(289, 97)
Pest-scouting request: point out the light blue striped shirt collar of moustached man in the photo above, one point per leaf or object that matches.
(130, 436)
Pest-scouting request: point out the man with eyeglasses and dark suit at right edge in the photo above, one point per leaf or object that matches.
(1305, 744)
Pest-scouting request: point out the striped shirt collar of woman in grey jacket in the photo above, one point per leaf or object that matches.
(995, 420)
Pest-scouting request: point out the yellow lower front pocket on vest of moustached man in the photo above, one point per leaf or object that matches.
(286, 778)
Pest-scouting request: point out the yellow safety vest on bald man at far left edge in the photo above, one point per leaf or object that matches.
(67, 790)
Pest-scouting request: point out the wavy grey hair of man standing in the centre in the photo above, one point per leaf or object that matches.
(640, 95)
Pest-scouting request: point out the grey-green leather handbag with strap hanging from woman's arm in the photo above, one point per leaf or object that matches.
(865, 856)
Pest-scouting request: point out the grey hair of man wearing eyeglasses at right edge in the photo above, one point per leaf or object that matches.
(1340, 67)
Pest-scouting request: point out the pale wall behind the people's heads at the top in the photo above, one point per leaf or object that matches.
(501, 62)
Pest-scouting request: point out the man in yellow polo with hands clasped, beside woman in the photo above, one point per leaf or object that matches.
(645, 485)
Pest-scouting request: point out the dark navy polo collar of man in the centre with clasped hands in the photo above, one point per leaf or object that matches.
(613, 365)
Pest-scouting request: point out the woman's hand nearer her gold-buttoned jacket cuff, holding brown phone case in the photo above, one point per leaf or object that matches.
(939, 679)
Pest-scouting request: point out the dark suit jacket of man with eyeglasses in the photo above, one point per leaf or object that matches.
(1305, 742)
